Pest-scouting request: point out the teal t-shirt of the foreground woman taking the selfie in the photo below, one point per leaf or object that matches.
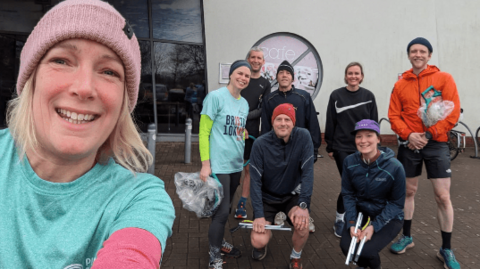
(60, 225)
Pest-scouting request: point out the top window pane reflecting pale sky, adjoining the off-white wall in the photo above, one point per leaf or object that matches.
(177, 20)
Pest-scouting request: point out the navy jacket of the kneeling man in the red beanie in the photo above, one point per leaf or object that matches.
(276, 168)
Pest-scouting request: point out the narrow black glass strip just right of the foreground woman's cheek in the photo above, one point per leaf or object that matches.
(143, 112)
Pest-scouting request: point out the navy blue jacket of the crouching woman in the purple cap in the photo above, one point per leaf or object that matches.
(377, 190)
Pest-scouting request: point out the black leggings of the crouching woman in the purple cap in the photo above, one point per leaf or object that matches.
(369, 257)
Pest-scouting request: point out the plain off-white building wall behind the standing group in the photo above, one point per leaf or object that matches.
(373, 32)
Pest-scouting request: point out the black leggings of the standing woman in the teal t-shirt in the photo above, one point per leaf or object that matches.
(230, 182)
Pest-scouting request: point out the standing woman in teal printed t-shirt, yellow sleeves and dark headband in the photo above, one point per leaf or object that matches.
(222, 132)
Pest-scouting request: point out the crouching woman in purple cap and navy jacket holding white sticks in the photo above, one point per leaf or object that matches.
(373, 182)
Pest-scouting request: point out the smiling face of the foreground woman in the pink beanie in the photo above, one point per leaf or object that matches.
(78, 94)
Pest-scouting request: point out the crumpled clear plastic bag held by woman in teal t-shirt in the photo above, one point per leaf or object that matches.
(197, 196)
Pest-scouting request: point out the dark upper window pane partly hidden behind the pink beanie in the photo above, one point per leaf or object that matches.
(136, 12)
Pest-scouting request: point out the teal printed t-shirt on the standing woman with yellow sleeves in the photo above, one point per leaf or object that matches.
(226, 138)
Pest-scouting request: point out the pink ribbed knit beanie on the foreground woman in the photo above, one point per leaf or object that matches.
(84, 19)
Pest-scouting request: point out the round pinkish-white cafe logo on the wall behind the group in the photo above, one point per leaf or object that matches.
(299, 53)
